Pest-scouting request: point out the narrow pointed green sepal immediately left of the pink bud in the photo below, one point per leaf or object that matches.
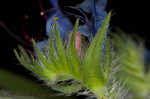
(72, 54)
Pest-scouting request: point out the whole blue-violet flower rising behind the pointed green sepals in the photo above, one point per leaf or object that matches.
(96, 9)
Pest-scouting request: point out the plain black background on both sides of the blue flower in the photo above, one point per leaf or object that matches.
(22, 18)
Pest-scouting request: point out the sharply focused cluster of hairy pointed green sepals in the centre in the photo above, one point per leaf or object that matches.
(59, 65)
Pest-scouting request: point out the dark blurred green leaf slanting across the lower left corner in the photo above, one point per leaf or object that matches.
(20, 85)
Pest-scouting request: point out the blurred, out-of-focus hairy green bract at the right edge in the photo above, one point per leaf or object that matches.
(131, 69)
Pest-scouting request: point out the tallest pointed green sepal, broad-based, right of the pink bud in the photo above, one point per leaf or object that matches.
(92, 72)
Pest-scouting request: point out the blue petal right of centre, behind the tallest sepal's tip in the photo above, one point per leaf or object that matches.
(97, 8)
